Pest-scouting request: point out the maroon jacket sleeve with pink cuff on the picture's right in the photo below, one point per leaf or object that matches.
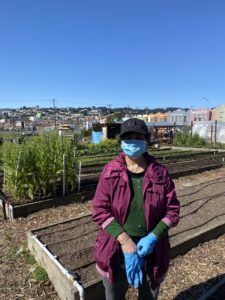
(172, 204)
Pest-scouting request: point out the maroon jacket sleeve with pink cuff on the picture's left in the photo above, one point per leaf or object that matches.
(101, 203)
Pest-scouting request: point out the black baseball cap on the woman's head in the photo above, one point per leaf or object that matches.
(133, 125)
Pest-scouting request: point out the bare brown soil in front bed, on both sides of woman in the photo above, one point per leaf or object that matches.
(72, 242)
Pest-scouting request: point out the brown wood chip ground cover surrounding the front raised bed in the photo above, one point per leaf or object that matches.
(189, 275)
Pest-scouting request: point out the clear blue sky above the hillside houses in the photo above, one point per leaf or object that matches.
(112, 52)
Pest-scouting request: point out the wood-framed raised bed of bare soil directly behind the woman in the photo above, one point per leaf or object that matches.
(202, 219)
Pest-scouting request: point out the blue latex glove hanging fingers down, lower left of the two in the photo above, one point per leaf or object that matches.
(133, 265)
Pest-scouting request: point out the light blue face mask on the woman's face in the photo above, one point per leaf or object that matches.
(133, 148)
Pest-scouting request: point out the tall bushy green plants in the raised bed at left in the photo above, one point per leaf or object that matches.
(35, 167)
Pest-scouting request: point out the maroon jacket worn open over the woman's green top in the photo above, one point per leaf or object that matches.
(112, 199)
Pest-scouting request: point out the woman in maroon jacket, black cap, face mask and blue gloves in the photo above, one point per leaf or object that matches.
(135, 204)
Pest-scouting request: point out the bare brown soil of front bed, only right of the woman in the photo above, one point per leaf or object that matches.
(202, 205)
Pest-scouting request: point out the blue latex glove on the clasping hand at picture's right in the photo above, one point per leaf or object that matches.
(146, 245)
